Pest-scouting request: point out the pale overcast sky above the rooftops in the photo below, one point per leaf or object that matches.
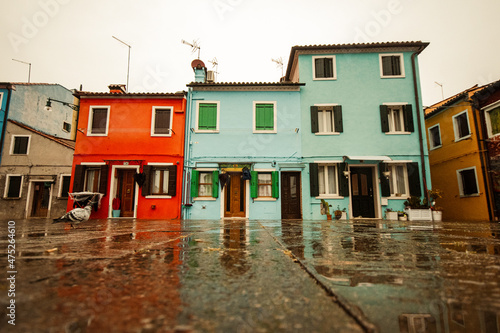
(70, 41)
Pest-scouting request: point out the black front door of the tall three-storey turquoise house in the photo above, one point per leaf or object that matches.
(363, 204)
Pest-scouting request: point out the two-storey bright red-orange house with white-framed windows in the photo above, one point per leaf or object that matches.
(131, 146)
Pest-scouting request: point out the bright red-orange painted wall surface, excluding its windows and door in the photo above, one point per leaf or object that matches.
(129, 140)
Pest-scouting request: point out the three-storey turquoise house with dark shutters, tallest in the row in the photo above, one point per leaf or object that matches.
(361, 127)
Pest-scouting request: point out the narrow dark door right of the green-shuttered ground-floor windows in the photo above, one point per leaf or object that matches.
(290, 195)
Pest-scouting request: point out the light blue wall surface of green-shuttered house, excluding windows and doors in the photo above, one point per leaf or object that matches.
(236, 143)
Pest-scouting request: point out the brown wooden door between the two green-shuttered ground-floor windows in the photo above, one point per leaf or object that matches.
(235, 196)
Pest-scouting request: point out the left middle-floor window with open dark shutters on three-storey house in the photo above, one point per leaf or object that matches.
(326, 119)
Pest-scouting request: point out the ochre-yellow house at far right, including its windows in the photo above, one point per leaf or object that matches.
(458, 158)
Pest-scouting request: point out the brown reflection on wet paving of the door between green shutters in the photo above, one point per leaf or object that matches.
(234, 239)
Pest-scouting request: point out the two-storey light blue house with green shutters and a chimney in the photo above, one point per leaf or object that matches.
(243, 150)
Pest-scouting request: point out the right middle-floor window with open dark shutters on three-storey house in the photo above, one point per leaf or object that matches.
(396, 118)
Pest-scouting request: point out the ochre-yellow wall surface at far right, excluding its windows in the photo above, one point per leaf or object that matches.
(453, 156)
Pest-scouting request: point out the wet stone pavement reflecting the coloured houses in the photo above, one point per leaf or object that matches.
(251, 276)
